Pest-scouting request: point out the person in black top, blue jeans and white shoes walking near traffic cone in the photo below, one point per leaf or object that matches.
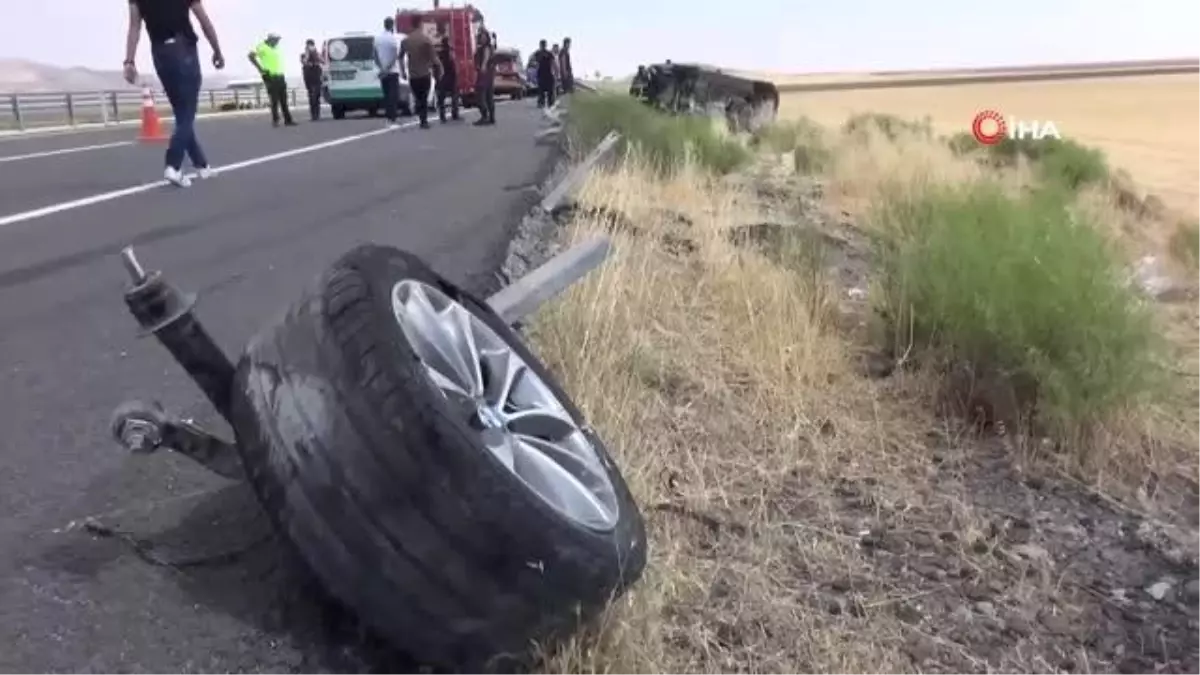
(173, 46)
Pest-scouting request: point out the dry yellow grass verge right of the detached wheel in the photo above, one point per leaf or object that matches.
(805, 518)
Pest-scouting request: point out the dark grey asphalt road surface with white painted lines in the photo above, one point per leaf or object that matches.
(76, 602)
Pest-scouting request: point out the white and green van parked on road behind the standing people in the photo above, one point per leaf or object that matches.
(352, 79)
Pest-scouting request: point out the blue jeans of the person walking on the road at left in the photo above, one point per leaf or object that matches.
(178, 65)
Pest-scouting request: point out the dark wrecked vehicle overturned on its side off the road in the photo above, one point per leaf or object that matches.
(747, 104)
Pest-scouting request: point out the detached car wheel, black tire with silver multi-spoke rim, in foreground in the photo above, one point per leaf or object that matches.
(429, 469)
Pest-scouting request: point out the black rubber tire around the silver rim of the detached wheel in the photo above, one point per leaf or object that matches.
(389, 497)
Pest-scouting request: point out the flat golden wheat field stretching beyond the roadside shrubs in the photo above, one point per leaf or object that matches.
(1144, 124)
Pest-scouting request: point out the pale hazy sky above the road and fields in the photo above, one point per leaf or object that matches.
(616, 35)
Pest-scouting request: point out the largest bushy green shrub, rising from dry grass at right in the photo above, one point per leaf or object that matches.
(1016, 286)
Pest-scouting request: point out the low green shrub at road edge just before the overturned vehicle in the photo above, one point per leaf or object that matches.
(663, 140)
